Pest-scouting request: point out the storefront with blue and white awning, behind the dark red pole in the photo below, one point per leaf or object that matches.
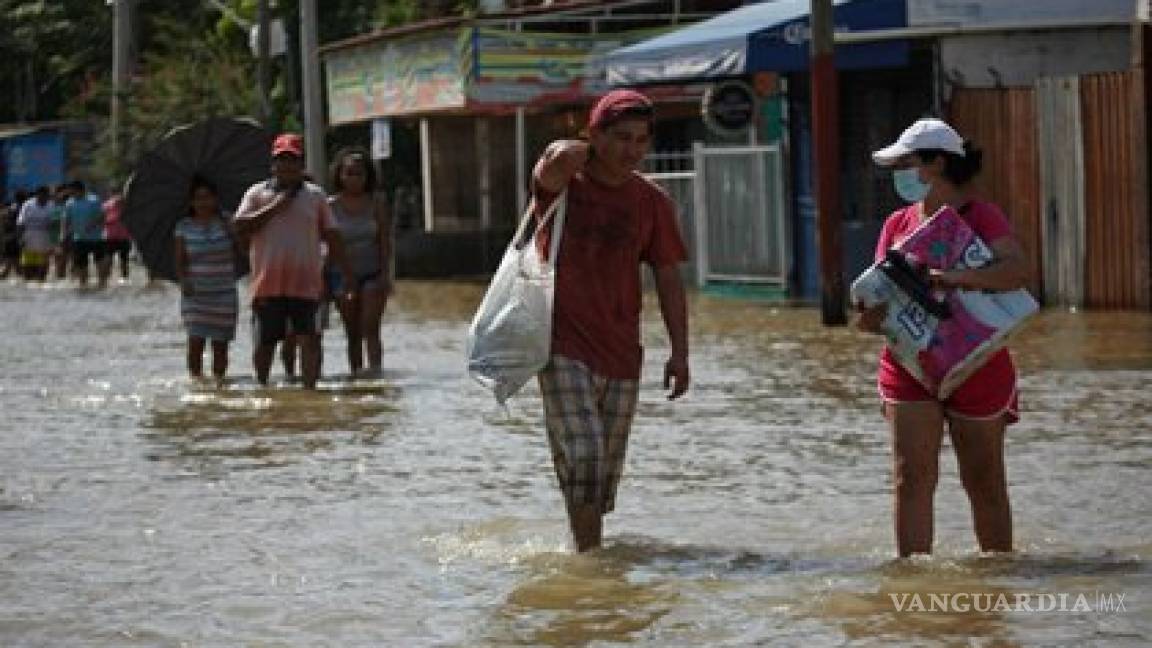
(767, 46)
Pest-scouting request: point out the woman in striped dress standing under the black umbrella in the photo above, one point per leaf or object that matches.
(206, 254)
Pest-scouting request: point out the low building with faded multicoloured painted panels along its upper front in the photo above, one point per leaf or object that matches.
(479, 104)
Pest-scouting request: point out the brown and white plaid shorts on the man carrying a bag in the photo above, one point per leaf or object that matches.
(588, 419)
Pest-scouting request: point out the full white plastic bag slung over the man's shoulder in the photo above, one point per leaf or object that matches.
(511, 337)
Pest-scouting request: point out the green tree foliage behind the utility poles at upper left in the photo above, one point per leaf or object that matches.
(192, 61)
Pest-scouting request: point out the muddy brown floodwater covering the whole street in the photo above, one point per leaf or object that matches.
(139, 509)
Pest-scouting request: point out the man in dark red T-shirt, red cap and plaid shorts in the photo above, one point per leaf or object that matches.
(617, 221)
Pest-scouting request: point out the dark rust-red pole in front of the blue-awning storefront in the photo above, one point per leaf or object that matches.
(827, 148)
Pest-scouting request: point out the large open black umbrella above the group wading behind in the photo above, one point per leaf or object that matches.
(233, 154)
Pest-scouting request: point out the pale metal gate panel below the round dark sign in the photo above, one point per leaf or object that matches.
(741, 221)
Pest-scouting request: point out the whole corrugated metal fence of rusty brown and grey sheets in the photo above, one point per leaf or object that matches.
(1102, 205)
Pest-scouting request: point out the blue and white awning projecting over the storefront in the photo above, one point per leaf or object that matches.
(770, 36)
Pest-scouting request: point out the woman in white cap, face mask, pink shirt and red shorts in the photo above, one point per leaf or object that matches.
(933, 168)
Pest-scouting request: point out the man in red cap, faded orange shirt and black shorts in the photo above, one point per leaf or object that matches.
(285, 220)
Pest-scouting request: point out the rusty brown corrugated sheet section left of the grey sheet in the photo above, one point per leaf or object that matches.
(1003, 123)
